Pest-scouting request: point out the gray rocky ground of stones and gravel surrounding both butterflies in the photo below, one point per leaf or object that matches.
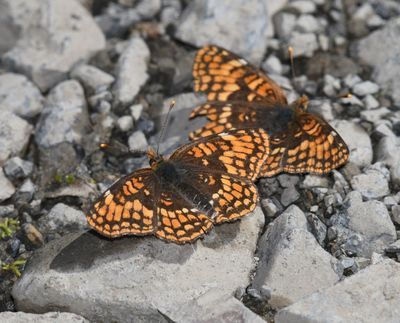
(74, 74)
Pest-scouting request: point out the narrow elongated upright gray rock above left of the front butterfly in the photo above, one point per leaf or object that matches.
(131, 71)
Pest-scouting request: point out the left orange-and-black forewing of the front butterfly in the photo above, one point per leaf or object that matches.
(127, 207)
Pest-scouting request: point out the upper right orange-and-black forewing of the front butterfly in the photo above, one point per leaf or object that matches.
(236, 152)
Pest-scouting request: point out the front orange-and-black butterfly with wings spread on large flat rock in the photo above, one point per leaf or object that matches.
(179, 199)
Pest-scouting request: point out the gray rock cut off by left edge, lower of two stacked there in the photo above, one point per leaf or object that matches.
(15, 134)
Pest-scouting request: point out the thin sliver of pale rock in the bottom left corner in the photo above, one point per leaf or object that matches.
(50, 317)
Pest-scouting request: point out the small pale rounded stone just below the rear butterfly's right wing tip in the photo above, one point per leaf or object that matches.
(372, 184)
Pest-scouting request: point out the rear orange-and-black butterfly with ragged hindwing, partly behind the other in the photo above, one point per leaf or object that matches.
(240, 96)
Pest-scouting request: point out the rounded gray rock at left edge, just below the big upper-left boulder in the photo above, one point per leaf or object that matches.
(20, 96)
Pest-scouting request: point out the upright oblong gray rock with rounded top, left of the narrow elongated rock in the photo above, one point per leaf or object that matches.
(65, 116)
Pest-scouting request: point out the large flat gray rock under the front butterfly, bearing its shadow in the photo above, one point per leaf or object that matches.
(221, 263)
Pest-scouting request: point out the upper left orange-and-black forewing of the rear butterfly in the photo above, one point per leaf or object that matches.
(224, 76)
